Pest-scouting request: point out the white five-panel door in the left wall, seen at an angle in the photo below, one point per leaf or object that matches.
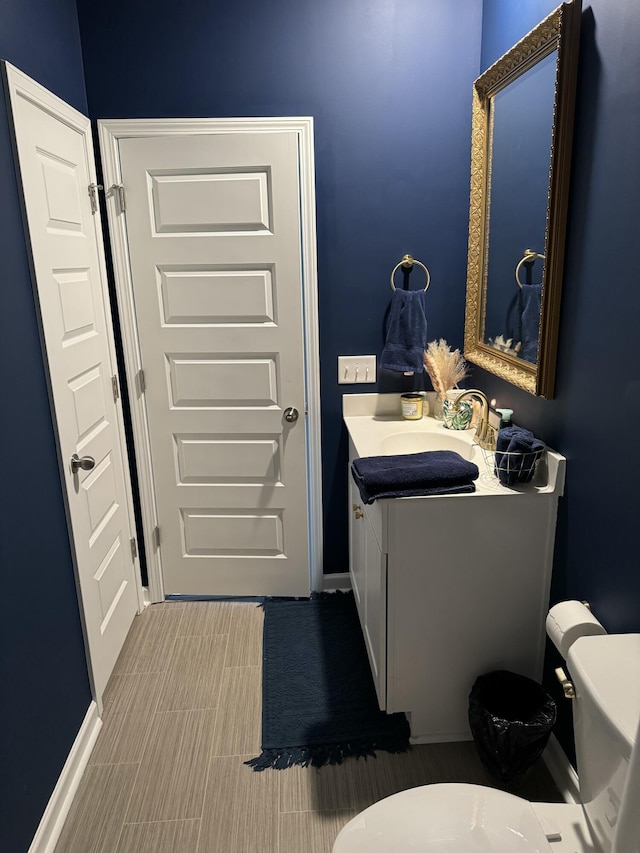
(56, 166)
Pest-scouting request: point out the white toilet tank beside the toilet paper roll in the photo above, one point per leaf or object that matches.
(606, 712)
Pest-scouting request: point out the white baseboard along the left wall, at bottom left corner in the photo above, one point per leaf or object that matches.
(48, 832)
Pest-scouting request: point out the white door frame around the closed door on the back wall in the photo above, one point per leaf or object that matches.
(110, 132)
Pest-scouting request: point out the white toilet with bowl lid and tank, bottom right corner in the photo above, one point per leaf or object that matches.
(458, 818)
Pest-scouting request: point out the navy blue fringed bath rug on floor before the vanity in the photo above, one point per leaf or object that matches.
(319, 702)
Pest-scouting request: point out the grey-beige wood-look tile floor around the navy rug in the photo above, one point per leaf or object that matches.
(182, 714)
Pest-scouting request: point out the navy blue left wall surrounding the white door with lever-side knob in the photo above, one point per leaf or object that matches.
(45, 688)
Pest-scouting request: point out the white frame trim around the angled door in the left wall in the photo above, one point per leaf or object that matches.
(18, 84)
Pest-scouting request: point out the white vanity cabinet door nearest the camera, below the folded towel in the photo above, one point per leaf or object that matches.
(375, 627)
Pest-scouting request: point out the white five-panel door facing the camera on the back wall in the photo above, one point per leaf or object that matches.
(214, 246)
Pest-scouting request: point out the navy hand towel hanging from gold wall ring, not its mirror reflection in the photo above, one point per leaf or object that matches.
(407, 332)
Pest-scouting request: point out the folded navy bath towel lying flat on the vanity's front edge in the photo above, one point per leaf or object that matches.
(435, 472)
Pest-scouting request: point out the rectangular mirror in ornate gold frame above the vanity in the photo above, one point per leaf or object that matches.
(522, 125)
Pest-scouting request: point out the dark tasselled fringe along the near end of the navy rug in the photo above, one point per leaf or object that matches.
(320, 755)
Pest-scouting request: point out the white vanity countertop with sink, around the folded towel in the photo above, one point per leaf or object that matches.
(377, 428)
